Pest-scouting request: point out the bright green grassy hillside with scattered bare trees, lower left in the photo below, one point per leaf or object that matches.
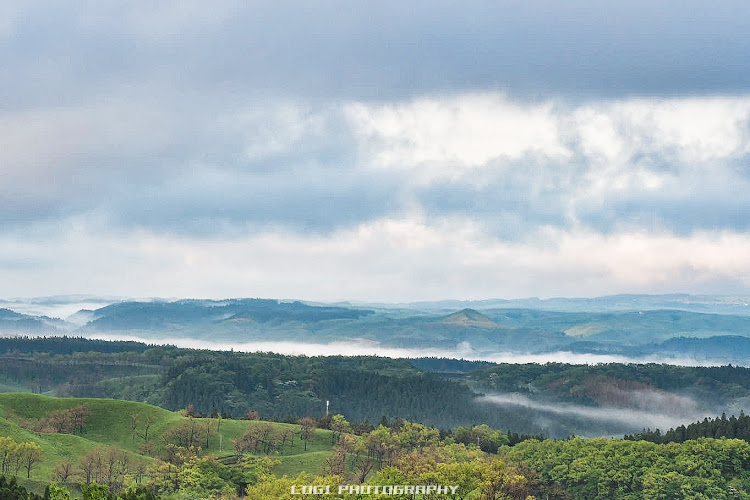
(110, 425)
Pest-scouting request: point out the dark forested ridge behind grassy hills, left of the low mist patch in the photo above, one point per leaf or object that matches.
(233, 383)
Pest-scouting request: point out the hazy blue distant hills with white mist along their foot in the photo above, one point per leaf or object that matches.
(624, 325)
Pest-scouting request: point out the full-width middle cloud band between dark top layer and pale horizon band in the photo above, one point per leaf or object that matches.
(512, 167)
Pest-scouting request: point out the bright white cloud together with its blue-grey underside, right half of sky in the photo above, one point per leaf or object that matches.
(663, 165)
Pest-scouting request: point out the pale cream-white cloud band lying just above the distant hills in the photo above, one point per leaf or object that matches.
(382, 260)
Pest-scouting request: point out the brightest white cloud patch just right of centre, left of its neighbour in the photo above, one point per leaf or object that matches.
(443, 137)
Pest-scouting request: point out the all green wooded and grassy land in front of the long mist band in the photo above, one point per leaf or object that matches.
(188, 423)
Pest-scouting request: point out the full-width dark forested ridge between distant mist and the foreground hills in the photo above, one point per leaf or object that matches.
(440, 392)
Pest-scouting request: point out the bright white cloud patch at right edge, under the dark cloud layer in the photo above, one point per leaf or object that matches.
(636, 143)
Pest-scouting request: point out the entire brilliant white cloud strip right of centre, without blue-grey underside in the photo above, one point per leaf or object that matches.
(448, 135)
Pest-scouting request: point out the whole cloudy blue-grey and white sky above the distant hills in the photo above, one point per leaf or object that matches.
(374, 151)
